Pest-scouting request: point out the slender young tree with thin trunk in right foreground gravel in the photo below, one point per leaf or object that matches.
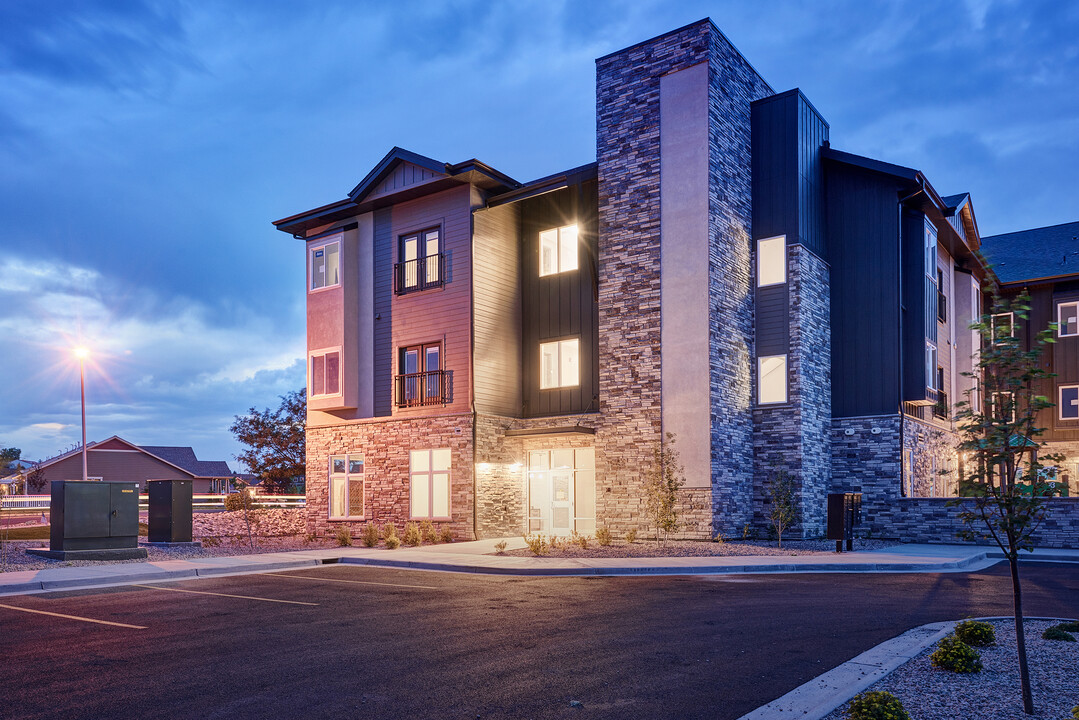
(1005, 486)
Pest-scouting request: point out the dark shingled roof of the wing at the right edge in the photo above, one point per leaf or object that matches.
(1039, 254)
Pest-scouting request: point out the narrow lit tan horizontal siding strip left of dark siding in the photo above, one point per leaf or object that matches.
(497, 309)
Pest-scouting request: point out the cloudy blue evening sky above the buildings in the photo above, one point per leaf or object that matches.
(145, 147)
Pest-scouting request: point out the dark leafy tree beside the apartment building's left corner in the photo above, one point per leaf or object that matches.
(275, 440)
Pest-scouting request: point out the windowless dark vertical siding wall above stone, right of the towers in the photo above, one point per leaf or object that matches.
(862, 220)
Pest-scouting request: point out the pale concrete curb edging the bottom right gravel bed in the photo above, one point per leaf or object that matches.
(825, 694)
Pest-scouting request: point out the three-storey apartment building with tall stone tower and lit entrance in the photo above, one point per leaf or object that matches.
(506, 357)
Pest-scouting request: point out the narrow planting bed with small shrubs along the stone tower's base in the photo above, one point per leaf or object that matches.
(702, 549)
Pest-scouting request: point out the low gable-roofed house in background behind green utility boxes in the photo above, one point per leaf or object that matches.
(116, 459)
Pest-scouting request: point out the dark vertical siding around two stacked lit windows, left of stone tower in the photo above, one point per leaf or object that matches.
(563, 306)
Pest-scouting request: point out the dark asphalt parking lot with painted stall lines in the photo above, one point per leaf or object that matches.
(344, 642)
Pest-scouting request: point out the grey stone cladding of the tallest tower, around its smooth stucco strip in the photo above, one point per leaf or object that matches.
(629, 154)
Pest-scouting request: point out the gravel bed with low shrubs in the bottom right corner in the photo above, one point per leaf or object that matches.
(930, 694)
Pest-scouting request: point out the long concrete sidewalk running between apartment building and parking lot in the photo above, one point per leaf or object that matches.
(475, 558)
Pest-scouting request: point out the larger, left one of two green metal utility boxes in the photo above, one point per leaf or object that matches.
(92, 515)
